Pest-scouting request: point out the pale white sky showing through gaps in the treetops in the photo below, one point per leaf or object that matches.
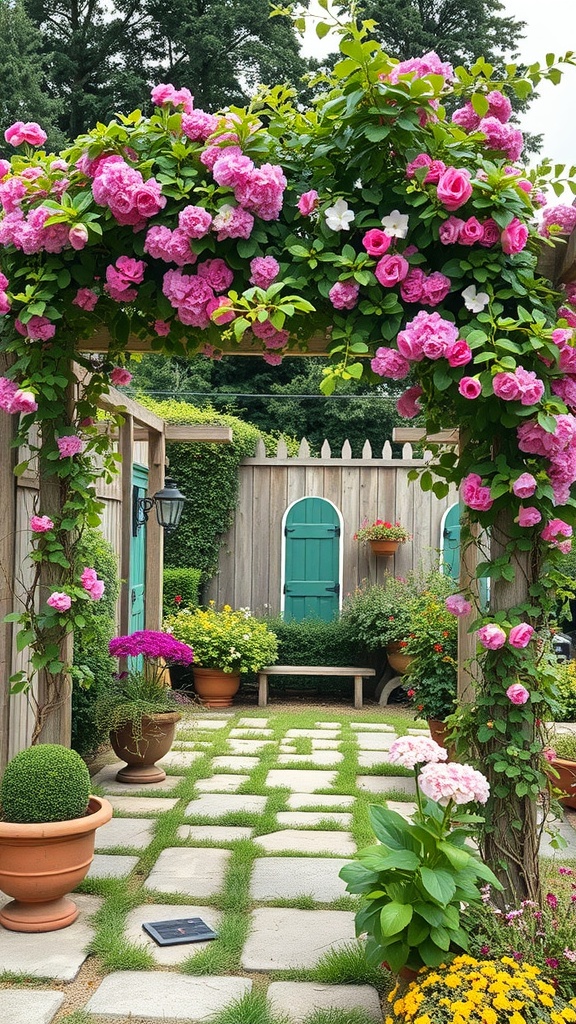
(551, 28)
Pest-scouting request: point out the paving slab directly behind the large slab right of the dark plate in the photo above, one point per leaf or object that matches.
(287, 878)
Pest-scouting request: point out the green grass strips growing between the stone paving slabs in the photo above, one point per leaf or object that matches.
(344, 966)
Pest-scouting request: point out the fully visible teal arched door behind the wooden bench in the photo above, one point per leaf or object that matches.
(312, 561)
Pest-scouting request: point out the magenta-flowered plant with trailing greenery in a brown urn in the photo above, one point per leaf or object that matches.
(139, 708)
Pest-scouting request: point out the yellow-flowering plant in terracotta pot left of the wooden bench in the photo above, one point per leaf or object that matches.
(227, 644)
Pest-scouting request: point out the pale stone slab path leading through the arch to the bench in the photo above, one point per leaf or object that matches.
(298, 834)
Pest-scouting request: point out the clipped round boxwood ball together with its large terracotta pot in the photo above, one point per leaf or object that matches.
(48, 826)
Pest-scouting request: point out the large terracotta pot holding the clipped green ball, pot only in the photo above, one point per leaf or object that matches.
(40, 864)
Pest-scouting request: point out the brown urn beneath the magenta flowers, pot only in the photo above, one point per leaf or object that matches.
(142, 753)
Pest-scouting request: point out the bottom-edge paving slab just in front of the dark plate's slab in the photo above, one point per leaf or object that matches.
(164, 997)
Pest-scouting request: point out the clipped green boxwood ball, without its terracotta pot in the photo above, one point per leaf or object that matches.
(48, 783)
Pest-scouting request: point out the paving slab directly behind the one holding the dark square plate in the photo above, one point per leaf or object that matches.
(198, 873)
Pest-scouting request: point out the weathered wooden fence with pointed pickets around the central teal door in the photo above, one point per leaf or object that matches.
(376, 486)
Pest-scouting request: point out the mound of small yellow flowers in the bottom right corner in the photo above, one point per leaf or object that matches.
(471, 992)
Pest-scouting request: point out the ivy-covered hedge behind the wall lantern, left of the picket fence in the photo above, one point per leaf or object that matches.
(209, 476)
